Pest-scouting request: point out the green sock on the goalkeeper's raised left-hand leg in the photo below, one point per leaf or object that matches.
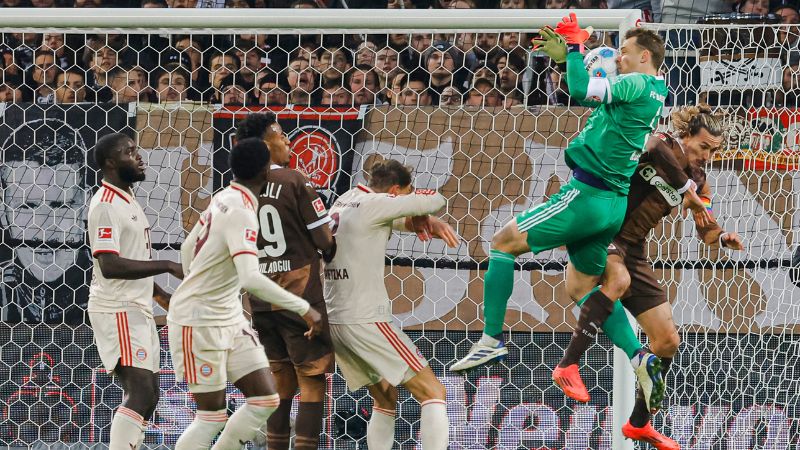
(498, 283)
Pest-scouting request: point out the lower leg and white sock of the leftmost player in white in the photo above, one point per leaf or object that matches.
(141, 389)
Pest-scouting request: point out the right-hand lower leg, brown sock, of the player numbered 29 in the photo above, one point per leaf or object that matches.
(310, 412)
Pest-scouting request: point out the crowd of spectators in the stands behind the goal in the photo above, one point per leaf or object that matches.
(472, 69)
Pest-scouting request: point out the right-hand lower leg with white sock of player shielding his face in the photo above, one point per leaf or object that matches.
(431, 395)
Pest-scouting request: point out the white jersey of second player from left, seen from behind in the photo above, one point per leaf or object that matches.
(209, 295)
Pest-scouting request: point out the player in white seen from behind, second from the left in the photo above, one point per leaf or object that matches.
(210, 339)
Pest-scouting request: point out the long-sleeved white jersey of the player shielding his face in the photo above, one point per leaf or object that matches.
(362, 219)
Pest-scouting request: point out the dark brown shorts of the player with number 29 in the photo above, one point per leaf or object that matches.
(281, 334)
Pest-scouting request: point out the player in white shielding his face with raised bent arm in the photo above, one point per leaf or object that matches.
(370, 350)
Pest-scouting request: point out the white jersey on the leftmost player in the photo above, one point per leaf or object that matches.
(117, 224)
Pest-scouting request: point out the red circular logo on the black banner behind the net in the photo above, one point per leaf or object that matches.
(315, 152)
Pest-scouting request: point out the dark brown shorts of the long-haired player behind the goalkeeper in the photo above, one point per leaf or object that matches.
(645, 292)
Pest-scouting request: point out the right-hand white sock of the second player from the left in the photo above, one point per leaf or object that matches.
(246, 422)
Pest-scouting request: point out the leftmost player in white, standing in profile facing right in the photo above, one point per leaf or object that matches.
(122, 288)
